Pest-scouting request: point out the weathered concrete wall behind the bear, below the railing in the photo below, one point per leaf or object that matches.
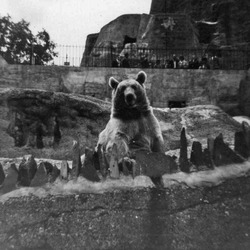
(218, 87)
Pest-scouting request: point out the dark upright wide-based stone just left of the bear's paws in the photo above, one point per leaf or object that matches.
(88, 170)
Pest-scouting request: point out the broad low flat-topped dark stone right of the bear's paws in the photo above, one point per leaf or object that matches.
(154, 164)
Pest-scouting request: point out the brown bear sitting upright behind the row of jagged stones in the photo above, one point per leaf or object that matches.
(132, 125)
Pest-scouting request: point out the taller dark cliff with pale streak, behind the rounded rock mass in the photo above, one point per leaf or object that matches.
(229, 18)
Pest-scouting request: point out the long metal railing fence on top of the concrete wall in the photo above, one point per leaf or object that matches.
(133, 56)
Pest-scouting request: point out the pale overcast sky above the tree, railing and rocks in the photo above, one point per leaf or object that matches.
(70, 21)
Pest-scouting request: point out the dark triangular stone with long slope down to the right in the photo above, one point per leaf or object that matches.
(223, 154)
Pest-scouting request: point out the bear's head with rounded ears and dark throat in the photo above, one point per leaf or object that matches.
(129, 99)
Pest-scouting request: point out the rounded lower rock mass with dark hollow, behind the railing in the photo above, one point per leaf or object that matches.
(143, 31)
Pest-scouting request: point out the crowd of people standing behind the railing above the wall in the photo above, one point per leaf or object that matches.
(205, 62)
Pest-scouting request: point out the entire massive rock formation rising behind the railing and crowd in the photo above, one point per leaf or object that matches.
(175, 24)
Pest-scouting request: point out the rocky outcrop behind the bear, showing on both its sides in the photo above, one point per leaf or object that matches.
(45, 124)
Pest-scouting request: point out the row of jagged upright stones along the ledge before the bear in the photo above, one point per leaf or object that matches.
(156, 166)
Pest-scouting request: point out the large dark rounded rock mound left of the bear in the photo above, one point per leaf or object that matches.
(74, 115)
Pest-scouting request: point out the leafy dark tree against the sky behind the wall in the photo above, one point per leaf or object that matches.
(19, 46)
